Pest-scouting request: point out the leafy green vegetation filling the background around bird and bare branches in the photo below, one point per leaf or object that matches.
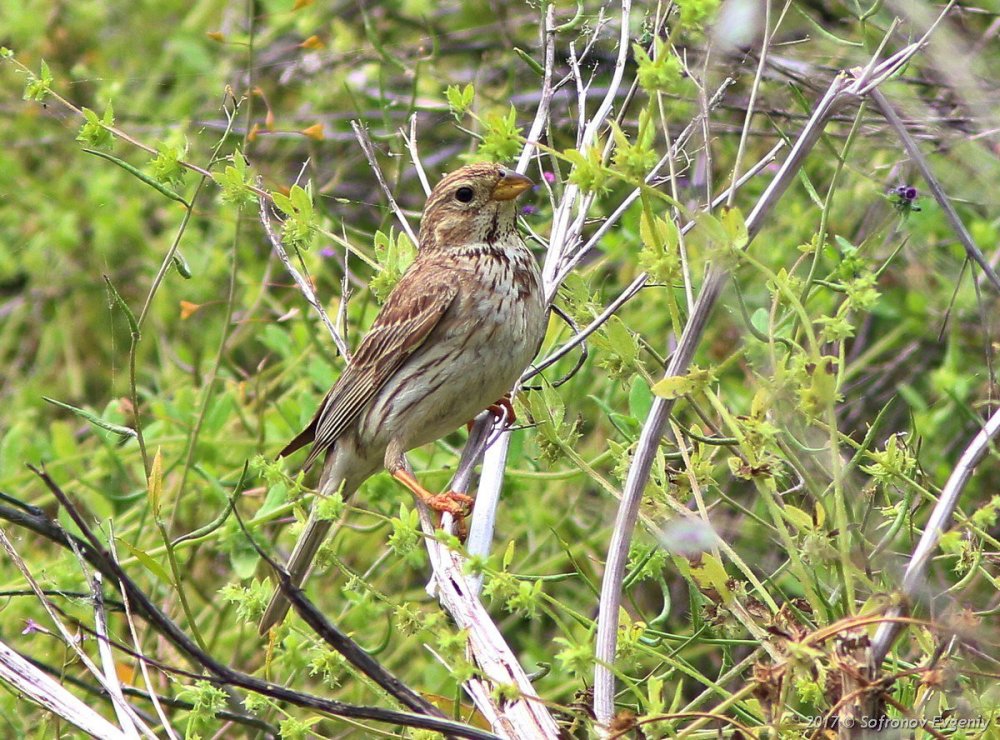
(156, 354)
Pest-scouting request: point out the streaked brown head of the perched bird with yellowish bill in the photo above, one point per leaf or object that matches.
(472, 205)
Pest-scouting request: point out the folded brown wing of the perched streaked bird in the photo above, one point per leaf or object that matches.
(412, 310)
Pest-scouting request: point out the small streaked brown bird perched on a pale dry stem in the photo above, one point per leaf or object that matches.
(453, 336)
